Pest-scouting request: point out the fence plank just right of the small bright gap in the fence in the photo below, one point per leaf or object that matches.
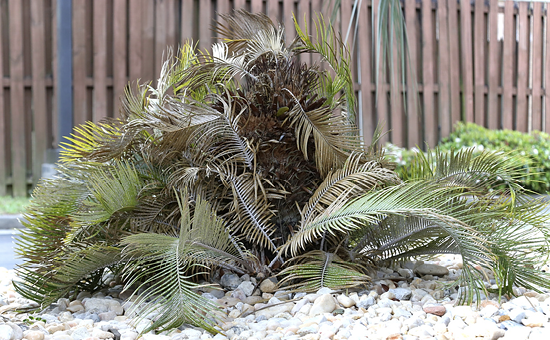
(509, 42)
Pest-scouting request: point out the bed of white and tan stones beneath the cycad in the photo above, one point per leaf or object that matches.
(417, 301)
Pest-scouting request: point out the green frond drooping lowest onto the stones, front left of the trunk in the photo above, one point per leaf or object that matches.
(163, 264)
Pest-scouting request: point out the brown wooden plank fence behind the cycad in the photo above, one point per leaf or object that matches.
(473, 61)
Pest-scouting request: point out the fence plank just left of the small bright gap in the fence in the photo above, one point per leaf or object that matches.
(493, 116)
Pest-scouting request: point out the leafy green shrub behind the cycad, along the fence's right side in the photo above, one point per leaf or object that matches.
(534, 147)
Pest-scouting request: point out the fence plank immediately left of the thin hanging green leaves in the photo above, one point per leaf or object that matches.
(365, 44)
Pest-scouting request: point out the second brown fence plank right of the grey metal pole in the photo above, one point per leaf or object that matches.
(100, 60)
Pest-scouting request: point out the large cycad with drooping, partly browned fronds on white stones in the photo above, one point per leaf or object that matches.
(245, 160)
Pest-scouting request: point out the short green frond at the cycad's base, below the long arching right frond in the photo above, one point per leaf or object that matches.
(317, 269)
